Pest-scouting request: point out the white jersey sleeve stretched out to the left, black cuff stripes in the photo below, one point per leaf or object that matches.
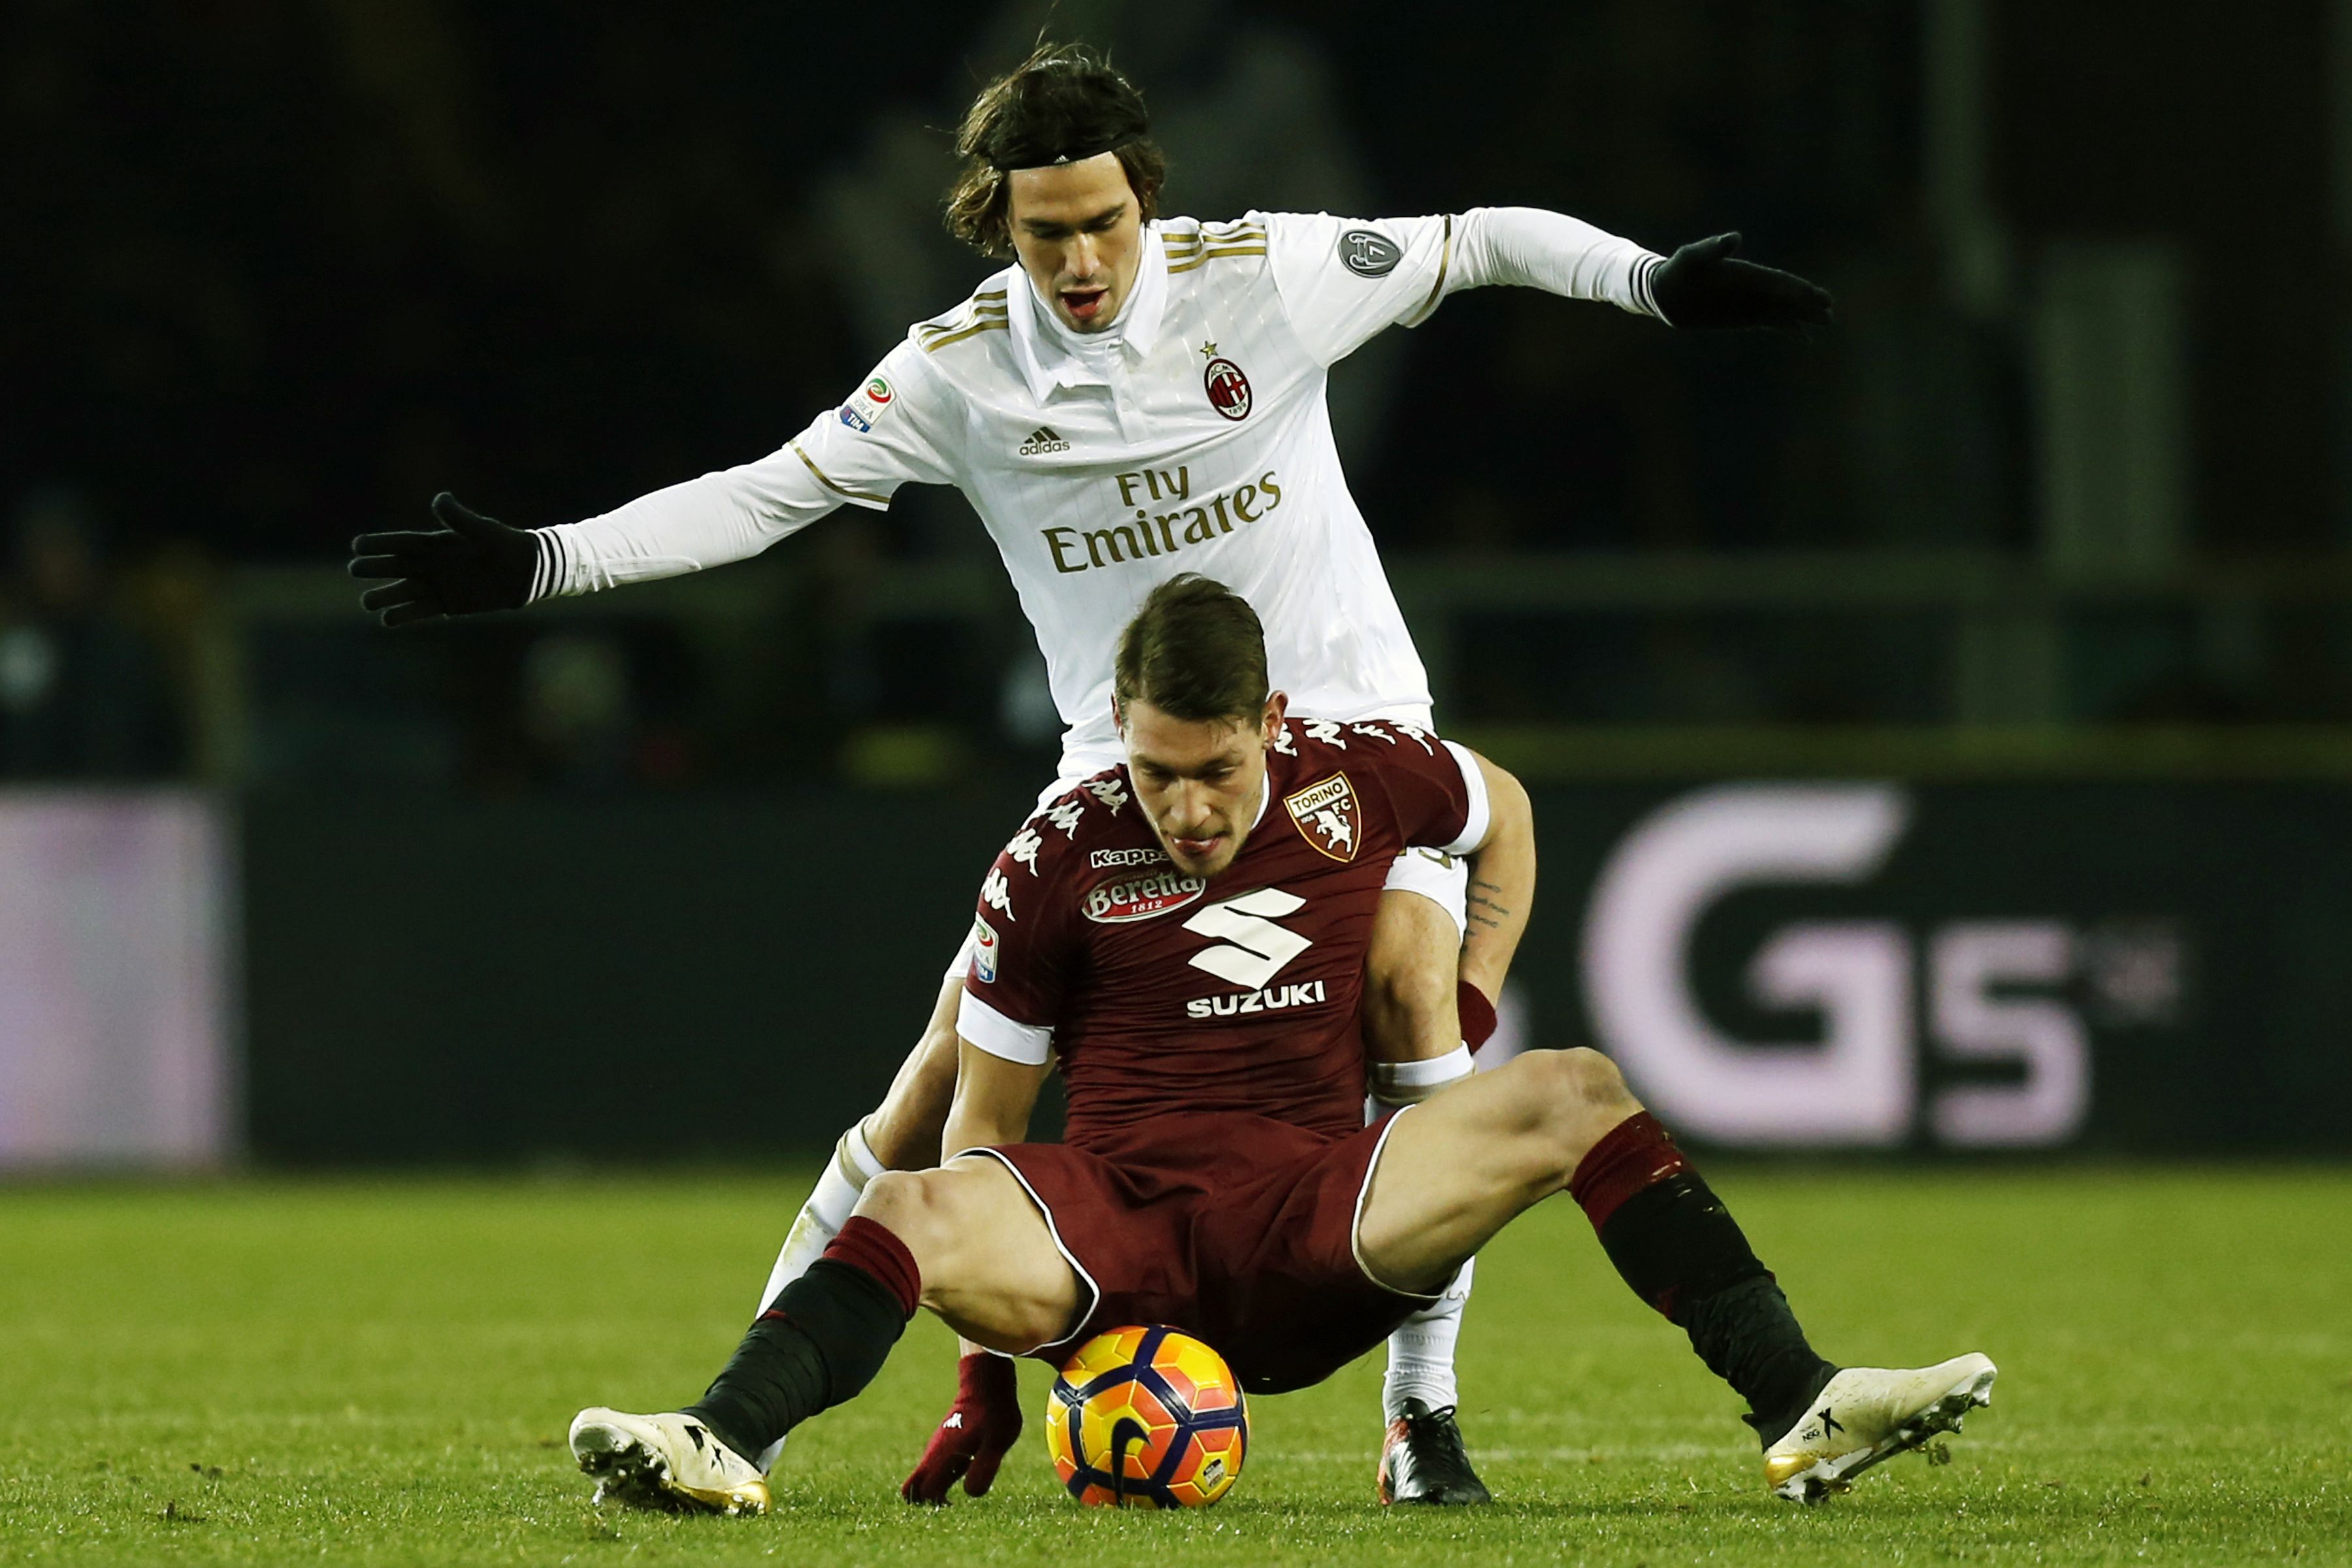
(904, 424)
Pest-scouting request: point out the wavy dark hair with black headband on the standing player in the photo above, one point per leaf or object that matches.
(1064, 102)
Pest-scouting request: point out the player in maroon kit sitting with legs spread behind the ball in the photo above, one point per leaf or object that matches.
(1187, 937)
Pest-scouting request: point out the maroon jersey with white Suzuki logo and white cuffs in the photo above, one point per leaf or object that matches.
(1168, 993)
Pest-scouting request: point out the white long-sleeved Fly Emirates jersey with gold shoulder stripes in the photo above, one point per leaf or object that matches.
(1191, 436)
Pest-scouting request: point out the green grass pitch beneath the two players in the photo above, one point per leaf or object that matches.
(382, 1374)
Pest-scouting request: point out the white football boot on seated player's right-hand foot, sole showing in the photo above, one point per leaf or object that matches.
(1869, 1414)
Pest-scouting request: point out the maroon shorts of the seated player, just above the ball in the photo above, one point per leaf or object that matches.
(1231, 1228)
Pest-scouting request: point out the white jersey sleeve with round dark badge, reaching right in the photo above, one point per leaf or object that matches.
(1347, 279)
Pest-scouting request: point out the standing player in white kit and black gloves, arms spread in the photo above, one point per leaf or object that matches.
(1135, 398)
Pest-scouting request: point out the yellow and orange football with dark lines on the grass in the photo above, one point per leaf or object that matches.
(1147, 1419)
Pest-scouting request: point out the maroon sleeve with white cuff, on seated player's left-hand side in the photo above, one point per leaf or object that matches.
(1020, 949)
